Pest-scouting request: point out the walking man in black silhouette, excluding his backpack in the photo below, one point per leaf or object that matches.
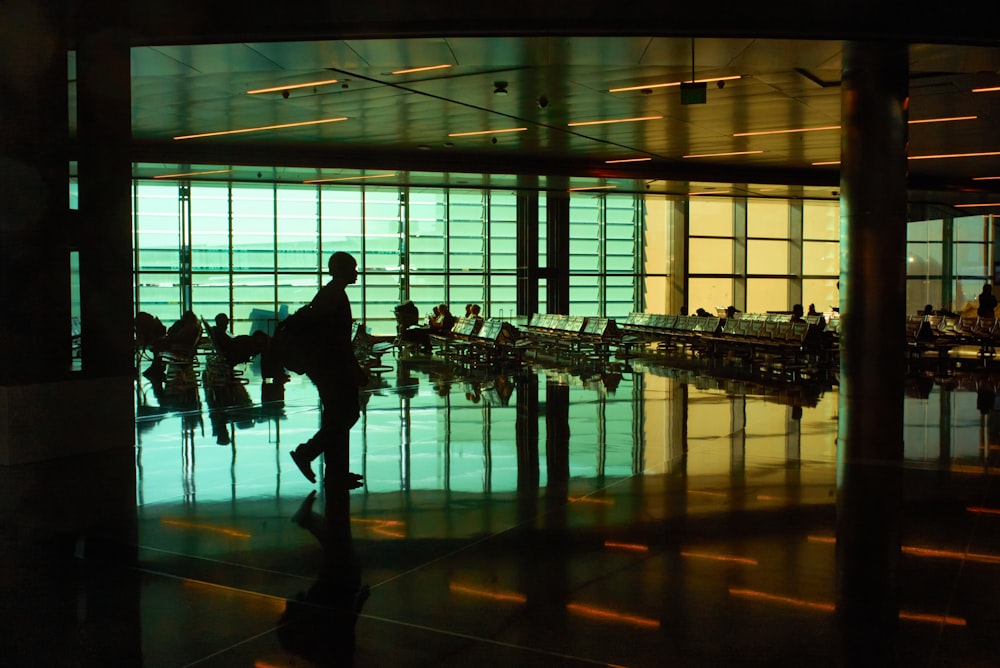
(337, 375)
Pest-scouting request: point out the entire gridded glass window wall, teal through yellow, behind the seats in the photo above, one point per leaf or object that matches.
(258, 251)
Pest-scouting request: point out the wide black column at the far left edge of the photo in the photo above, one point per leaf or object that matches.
(34, 194)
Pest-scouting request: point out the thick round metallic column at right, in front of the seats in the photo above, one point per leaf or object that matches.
(873, 304)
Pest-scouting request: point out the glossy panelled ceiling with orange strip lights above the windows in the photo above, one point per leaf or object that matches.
(551, 82)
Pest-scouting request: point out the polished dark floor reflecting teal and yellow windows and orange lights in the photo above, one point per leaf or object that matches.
(650, 514)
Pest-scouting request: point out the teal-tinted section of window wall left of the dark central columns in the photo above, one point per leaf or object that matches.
(257, 252)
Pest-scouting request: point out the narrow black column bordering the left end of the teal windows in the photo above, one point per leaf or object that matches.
(104, 131)
